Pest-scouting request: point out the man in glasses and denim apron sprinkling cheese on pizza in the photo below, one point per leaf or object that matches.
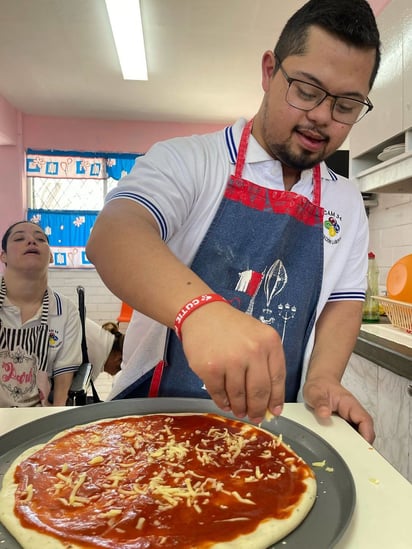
(245, 242)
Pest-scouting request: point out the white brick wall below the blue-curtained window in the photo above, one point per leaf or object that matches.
(101, 304)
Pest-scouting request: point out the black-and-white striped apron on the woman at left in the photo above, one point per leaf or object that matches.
(23, 360)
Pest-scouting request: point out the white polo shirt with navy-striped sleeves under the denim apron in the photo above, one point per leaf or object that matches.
(181, 182)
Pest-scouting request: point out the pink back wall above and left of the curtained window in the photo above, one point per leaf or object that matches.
(39, 132)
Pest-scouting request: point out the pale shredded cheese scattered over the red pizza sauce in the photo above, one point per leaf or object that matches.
(175, 481)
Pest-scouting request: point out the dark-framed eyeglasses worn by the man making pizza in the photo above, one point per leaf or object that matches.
(305, 97)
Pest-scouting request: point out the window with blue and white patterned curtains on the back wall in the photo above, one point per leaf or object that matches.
(66, 191)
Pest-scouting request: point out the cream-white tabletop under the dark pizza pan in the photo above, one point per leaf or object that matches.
(382, 517)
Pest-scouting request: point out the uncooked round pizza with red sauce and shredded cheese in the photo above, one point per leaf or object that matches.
(160, 480)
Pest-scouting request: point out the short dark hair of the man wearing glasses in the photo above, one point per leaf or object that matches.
(352, 21)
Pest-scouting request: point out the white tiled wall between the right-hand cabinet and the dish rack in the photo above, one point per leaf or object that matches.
(390, 229)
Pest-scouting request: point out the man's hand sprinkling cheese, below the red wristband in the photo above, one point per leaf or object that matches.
(240, 360)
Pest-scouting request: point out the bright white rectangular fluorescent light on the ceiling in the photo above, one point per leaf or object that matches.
(126, 22)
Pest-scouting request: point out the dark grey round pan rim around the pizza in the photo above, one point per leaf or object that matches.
(322, 528)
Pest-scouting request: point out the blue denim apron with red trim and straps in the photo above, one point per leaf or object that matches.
(264, 253)
